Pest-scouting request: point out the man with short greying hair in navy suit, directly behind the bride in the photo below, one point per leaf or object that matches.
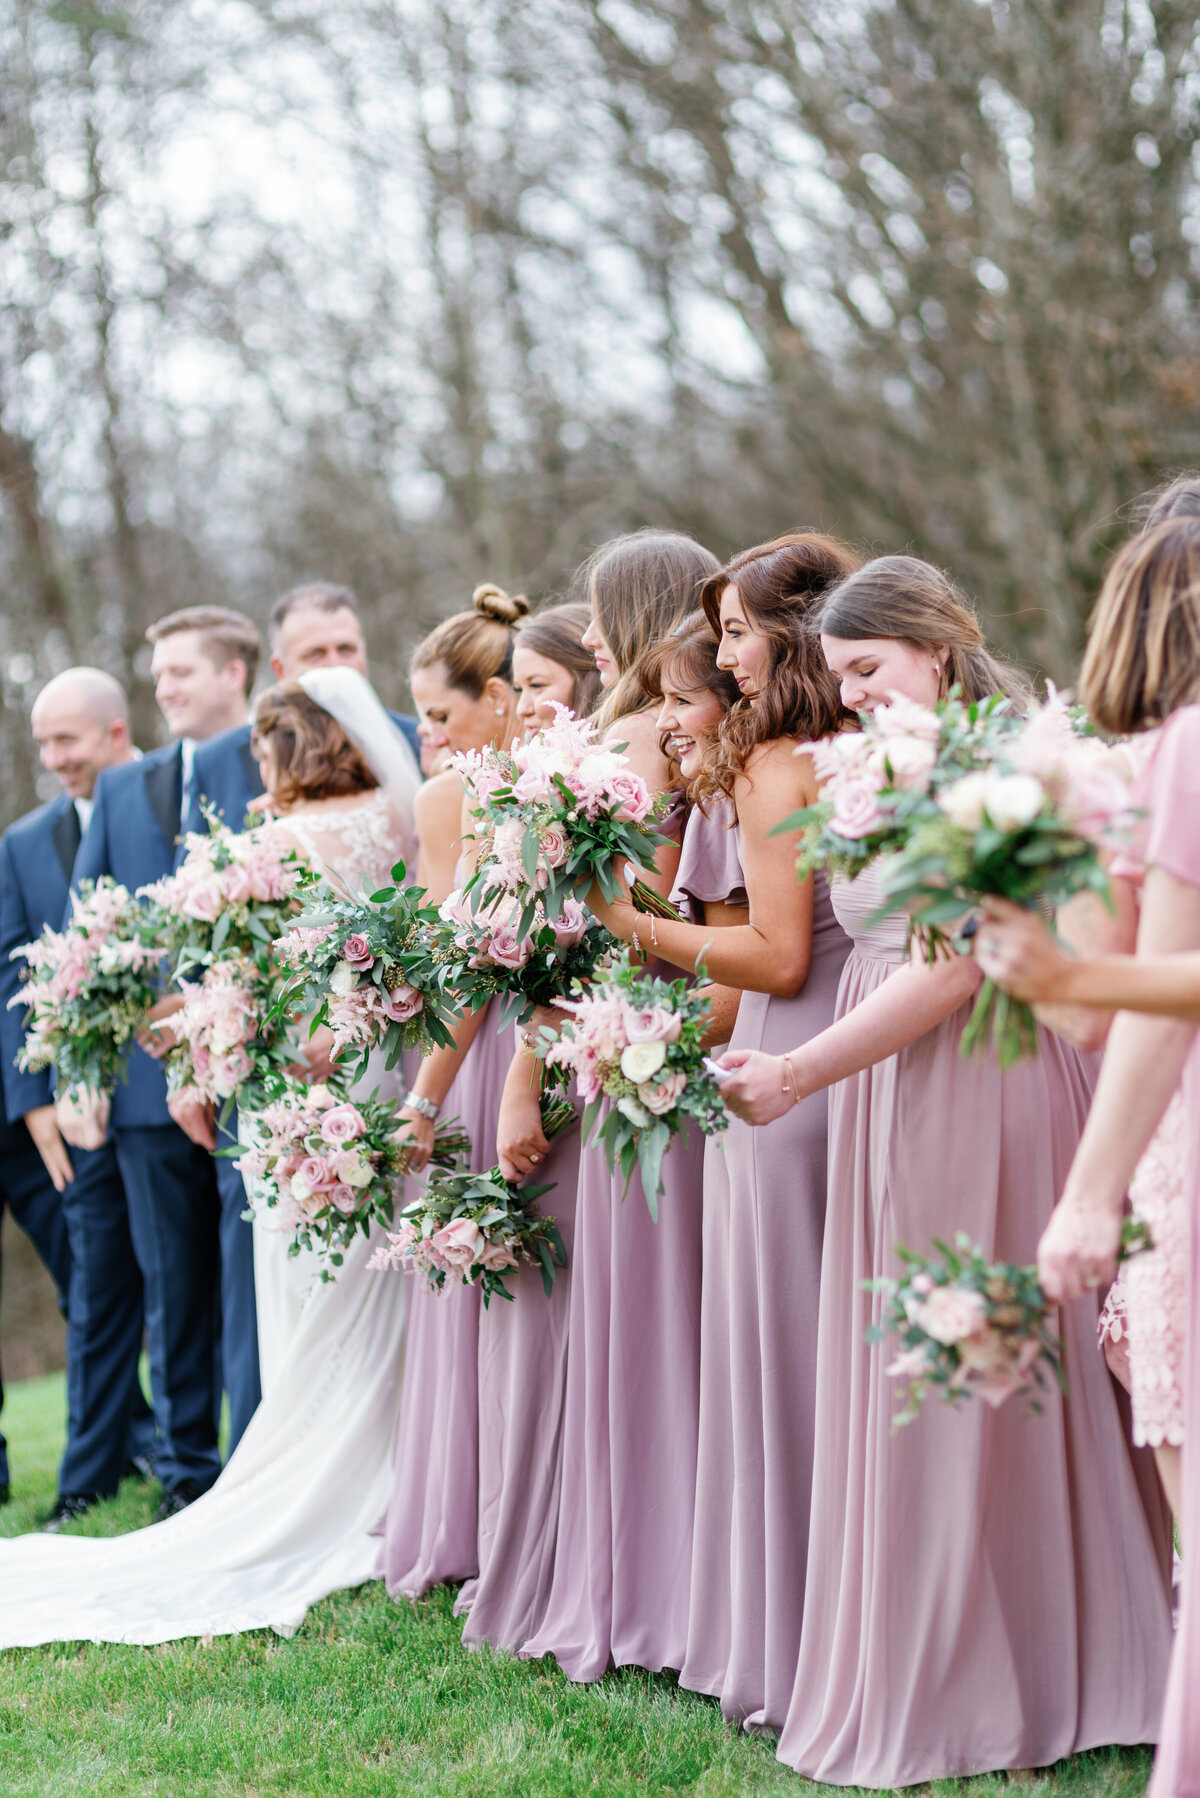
(314, 627)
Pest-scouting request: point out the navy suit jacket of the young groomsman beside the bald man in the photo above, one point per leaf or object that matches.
(134, 830)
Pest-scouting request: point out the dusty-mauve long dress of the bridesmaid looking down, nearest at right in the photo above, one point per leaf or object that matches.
(985, 1589)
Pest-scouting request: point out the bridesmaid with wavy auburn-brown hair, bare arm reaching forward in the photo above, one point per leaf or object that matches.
(764, 1197)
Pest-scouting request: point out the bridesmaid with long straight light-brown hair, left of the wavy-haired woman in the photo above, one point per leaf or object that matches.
(623, 1549)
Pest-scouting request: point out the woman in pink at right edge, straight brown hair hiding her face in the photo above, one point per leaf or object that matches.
(1142, 672)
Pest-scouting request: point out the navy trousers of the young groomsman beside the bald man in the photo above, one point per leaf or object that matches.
(175, 1216)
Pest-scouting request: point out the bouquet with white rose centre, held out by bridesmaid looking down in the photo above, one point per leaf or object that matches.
(640, 1042)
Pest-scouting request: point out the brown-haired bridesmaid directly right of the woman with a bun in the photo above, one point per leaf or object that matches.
(523, 1346)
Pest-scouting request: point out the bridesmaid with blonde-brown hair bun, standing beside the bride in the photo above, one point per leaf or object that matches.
(463, 688)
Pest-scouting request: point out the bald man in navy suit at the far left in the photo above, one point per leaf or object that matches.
(71, 1202)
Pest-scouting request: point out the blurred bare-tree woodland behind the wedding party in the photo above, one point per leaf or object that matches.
(413, 294)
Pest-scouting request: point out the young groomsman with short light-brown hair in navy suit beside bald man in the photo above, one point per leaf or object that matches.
(197, 1263)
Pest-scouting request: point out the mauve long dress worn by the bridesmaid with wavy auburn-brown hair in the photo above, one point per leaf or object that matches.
(764, 1227)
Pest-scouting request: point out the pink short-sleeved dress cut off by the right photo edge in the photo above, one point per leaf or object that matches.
(1174, 846)
